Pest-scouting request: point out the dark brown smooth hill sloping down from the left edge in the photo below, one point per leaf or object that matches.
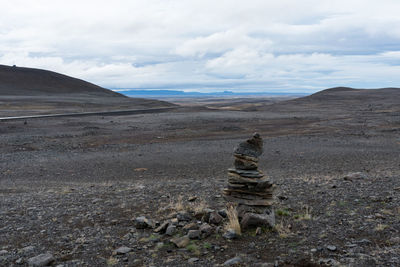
(20, 81)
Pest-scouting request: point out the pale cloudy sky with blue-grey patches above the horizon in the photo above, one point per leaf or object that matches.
(248, 45)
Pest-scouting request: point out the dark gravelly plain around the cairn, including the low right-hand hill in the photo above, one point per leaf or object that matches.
(73, 187)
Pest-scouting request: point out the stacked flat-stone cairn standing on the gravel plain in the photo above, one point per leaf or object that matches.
(248, 188)
